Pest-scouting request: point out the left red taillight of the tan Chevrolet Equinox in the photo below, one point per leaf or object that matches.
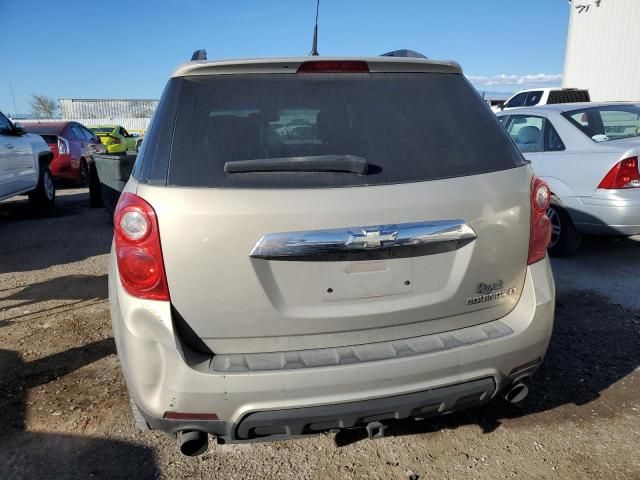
(138, 250)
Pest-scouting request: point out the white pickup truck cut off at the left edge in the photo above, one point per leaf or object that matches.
(24, 165)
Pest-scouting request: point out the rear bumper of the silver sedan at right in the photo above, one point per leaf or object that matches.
(607, 212)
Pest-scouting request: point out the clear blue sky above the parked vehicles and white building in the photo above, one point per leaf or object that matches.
(127, 49)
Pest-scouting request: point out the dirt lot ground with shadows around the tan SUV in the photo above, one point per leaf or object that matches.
(64, 412)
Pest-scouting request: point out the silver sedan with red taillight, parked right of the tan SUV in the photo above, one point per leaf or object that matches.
(588, 155)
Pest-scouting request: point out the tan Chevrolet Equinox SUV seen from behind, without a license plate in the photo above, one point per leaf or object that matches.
(308, 245)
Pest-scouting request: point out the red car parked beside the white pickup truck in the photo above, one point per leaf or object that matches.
(72, 145)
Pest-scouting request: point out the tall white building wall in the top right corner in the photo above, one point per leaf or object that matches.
(603, 49)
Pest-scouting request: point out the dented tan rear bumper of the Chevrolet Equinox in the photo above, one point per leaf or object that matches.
(164, 376)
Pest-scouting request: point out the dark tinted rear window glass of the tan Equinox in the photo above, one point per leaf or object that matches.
(408, 127)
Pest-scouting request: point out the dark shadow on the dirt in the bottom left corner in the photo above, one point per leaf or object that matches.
(26, 454)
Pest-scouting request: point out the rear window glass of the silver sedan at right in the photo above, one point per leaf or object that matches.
(607, 123)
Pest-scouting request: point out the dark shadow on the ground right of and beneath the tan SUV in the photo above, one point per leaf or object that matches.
(594, 345)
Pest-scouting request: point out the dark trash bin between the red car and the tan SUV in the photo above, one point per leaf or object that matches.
(113, 173)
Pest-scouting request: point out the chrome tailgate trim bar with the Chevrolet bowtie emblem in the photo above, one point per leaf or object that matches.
(367, 242)
